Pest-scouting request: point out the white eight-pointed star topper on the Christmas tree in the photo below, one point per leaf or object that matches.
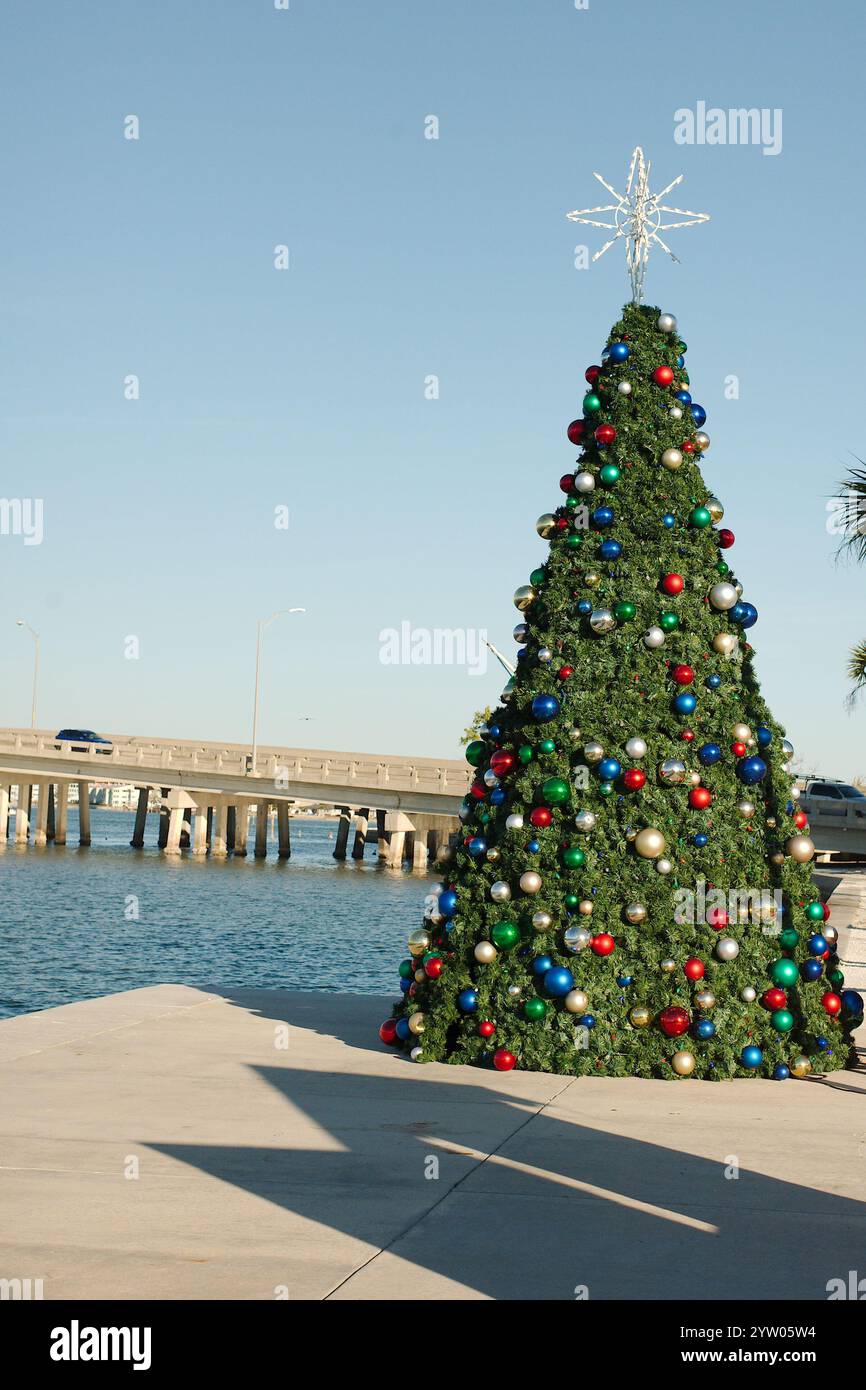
(637, 219)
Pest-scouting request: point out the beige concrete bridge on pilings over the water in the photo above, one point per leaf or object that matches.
(209, 793)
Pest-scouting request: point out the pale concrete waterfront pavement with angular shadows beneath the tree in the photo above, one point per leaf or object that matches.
(172, 1143)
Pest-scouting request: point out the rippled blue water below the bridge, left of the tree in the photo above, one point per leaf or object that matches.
(308, 924)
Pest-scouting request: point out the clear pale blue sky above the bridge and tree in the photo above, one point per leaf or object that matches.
(409, 258)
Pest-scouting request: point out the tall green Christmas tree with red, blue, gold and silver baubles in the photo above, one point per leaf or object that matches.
(633, 892)
